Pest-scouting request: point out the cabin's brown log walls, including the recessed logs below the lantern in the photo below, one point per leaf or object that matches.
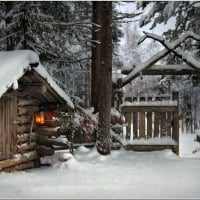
(22, 141)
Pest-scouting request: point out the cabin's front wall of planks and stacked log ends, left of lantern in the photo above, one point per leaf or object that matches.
(18, 133)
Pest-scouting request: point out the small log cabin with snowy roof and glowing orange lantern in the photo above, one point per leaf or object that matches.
(29, 98)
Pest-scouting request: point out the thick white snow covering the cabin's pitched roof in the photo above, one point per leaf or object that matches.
(14, 64)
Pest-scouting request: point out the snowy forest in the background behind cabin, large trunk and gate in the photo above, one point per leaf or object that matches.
(61, 33)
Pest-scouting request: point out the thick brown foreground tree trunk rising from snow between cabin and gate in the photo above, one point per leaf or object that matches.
(103, 75)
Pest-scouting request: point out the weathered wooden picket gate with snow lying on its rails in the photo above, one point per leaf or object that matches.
(155, 121)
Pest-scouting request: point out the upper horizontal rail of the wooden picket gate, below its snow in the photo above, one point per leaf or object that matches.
(133, 108)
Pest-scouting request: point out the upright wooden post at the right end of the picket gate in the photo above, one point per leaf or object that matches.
(175, 134)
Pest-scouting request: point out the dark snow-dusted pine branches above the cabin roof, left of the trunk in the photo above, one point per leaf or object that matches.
(58, 31)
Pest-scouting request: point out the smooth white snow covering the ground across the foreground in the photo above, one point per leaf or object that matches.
(123, 174)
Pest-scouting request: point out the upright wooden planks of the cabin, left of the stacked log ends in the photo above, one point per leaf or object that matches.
(7, 127)
